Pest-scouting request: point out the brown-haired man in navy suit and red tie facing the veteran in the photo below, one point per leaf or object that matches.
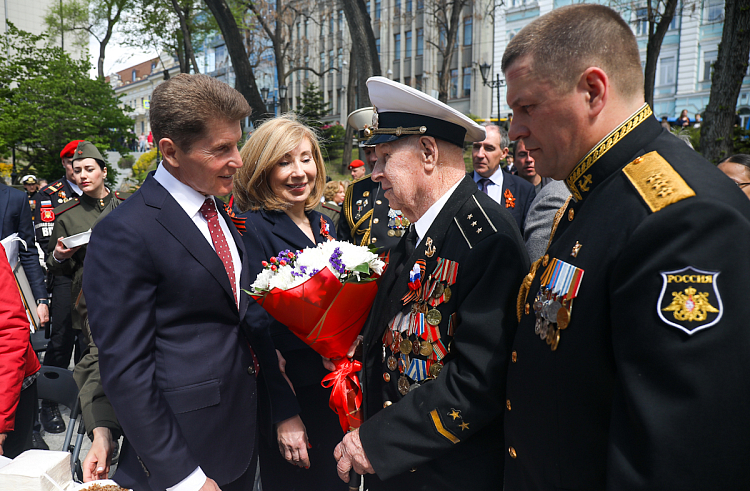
(163, 278)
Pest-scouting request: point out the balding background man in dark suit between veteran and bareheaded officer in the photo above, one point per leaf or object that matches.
(512, 192)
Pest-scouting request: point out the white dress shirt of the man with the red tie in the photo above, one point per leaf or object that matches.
(191, 201)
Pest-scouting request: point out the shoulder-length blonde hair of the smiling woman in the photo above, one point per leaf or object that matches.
(266, 147)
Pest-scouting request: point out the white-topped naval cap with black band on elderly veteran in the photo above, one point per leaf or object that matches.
(400, 110)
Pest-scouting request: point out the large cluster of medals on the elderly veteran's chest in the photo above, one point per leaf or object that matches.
(412, 344)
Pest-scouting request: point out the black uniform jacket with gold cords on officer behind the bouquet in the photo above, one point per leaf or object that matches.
(365, 211)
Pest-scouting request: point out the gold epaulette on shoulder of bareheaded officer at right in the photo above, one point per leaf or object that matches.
(656, 181)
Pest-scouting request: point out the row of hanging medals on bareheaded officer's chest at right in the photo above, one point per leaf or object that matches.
(553, 304)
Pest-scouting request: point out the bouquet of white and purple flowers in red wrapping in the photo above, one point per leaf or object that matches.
(323, 295)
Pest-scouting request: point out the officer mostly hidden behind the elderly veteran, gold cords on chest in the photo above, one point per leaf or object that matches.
(367, 219)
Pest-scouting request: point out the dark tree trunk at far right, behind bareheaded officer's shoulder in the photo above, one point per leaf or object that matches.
(729, 70)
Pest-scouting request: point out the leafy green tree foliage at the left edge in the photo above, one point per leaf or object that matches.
(47, 99)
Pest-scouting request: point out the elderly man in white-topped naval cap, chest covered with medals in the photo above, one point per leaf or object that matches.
(437, 343)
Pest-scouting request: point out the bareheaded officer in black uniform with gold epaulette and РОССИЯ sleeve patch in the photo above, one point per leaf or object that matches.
(629, 369)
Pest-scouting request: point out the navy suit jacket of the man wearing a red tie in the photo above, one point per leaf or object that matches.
(173, 361)
